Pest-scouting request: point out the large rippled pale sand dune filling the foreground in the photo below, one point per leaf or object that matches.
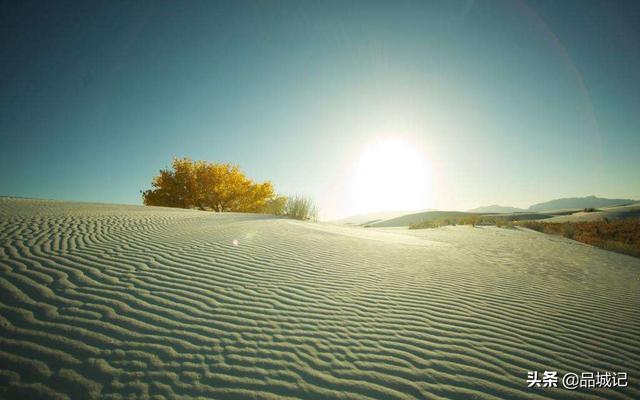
(104, 301)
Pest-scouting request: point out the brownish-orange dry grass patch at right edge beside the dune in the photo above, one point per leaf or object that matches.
(621, 236)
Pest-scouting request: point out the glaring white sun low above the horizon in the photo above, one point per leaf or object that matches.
(391, 175)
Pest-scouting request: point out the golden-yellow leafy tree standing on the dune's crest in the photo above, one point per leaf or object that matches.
(217, 186)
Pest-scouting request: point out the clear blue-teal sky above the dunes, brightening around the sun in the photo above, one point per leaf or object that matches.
(510, 102)
